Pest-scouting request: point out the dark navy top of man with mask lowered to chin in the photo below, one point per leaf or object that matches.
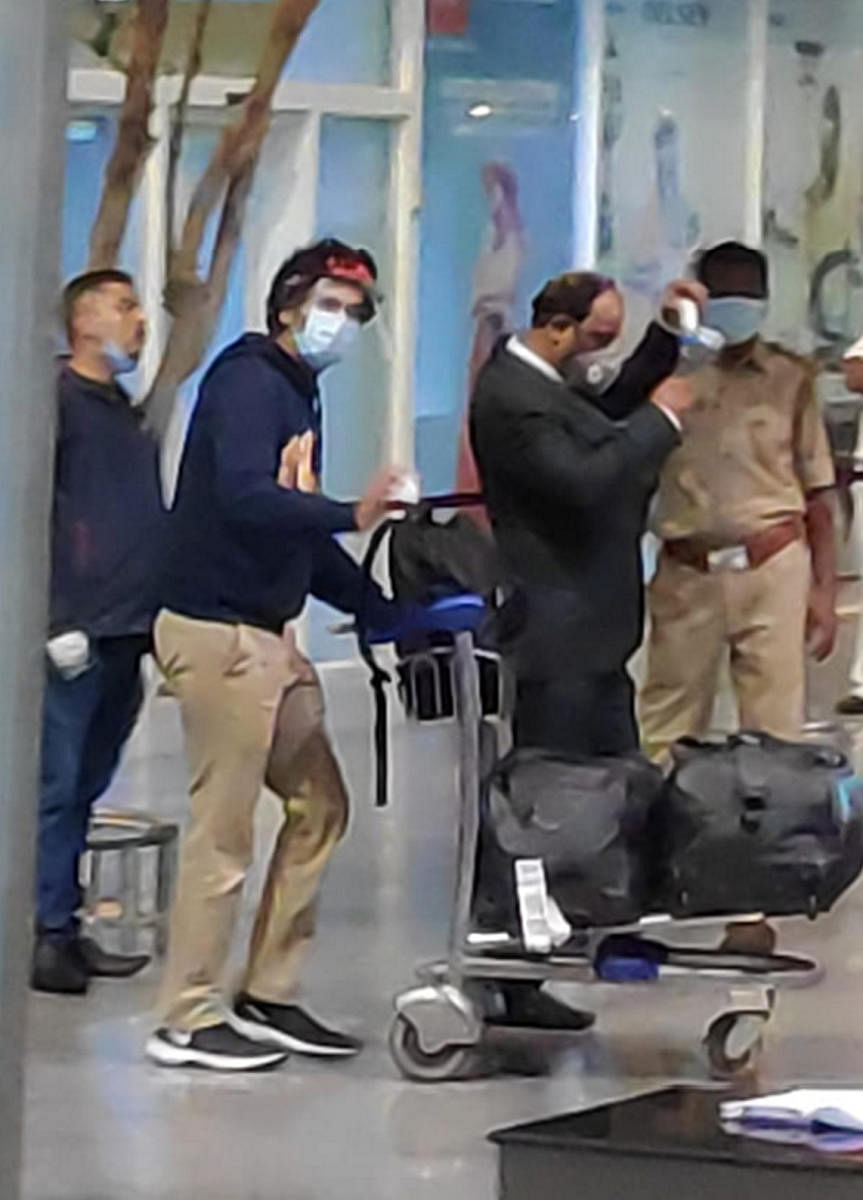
(109, 525)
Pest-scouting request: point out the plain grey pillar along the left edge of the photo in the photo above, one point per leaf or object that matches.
(33, 70)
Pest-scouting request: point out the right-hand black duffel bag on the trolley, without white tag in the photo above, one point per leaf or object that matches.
(756, 825)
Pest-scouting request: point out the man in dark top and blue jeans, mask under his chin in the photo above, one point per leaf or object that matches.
(107, 544)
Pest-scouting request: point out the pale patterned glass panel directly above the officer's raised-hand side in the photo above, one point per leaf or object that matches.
(675, 136)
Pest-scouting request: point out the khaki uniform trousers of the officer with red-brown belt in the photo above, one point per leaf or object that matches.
(757, 619)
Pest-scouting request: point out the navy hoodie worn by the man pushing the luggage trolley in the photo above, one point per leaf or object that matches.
(244, 549)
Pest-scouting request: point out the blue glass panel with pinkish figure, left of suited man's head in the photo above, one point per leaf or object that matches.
(498, 214)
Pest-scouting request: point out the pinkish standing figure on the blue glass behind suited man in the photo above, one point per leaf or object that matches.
(495, 289)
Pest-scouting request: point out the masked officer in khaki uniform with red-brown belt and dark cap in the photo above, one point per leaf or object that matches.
(748, 563)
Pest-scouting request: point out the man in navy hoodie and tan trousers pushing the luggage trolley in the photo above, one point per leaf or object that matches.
(254, 538)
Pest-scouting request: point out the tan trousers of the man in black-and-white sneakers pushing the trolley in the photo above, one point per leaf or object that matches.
(253, 716)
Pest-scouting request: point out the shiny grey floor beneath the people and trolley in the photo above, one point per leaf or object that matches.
(103, 1125)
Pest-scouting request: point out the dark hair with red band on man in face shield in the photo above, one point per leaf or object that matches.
(328, 260)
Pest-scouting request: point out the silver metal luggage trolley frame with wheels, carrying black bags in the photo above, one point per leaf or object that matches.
(439, 1029)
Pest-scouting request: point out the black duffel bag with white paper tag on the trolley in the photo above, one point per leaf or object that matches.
(588, 820)
